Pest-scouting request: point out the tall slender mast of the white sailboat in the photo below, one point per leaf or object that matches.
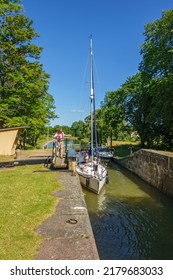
(91, 94)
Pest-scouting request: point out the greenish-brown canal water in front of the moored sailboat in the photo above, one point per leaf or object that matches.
(131, 219)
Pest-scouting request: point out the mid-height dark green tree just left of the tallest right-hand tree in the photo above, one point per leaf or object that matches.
(137, 106)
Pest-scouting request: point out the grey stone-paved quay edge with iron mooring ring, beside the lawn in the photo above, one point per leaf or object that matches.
(68, 232)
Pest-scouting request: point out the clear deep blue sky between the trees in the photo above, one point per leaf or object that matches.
(64, 26)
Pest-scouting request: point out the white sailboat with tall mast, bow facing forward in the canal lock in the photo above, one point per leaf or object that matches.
(92, 174)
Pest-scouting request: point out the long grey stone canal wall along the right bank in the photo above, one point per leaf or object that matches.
(154, 167)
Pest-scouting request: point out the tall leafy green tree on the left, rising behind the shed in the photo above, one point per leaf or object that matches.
(24, 97)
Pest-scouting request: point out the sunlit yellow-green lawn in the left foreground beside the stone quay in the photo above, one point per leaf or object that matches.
(26, 201)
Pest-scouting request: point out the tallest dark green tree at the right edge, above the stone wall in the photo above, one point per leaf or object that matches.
(157, 70)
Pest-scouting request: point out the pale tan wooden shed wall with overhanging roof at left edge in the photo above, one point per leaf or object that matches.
(9, 138)
